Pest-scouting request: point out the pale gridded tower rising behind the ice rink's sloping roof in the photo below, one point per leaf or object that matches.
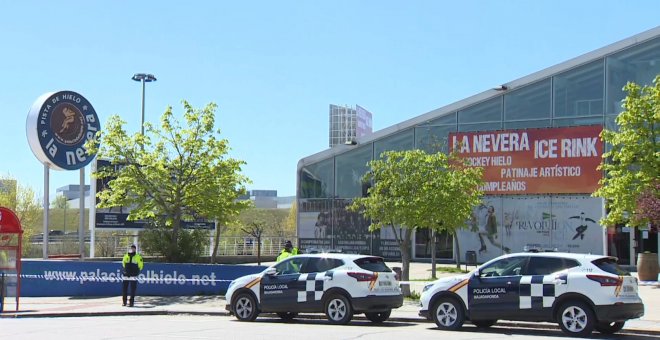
(347, 124)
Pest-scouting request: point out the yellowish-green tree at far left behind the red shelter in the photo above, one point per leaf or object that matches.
(23, 201)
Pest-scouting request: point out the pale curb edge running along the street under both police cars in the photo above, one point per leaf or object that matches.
(511, 324)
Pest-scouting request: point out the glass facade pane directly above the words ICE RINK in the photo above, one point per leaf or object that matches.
(579, 92)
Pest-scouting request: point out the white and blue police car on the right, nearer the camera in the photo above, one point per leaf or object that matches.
(580, 292)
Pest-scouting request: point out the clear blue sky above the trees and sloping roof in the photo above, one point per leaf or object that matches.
(273, 67)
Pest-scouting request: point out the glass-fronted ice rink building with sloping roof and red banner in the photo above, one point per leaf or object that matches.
(537, 139)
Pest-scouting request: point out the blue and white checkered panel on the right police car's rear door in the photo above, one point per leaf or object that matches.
(537, 291)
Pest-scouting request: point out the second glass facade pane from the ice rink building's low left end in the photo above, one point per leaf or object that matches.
(350, 167)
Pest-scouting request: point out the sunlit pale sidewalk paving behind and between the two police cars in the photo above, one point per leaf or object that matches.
(33, 307)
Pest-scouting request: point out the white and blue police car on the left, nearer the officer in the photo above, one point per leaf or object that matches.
(338, 285)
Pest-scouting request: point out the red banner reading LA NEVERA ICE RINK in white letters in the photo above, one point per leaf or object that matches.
(534, 161)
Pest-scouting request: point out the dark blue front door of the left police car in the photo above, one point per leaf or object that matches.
(279, 292)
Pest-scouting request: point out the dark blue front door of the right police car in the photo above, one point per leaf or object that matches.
(493, 290)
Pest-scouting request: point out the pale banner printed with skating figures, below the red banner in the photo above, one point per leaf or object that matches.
(510, 224)
